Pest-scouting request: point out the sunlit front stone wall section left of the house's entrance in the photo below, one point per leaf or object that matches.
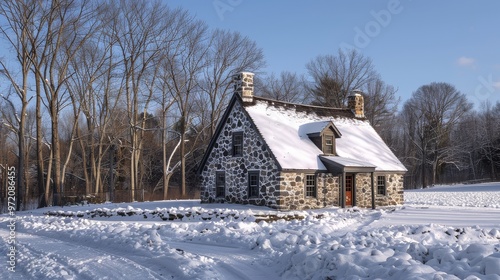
(292, 191)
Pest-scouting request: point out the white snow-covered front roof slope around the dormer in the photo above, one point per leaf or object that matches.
(285, 130)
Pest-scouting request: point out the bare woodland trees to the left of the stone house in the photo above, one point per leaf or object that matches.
(110, 95)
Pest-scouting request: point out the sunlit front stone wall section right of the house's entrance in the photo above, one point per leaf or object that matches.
(394, 190)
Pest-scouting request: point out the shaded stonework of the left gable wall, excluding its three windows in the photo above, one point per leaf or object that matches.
(256, 157)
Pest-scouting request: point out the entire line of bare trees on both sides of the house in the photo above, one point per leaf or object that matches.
(115, 99)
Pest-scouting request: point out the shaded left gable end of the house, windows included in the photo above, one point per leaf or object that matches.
(238, 150)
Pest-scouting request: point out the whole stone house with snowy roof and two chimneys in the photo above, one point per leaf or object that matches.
(293, 156)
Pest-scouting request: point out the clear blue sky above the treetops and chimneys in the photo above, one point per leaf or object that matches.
(411, 43)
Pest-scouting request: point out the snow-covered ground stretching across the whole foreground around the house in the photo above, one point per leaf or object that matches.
(446, 232)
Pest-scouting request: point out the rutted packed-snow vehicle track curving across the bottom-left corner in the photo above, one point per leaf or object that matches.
(46, 257)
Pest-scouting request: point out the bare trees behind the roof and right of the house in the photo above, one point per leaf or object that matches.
(436, 133)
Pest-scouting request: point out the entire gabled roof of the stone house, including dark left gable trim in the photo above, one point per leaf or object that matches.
(286, 127)
